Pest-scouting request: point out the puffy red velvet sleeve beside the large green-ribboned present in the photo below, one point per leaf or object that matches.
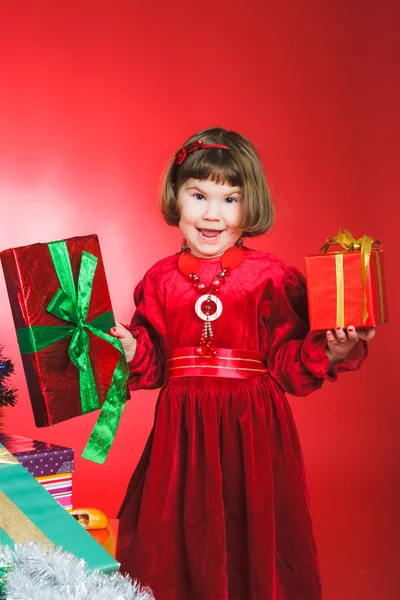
(146, 369)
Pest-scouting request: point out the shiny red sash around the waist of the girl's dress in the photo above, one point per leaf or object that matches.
(237, 364)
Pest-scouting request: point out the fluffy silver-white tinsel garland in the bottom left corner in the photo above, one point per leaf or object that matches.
(50, 574)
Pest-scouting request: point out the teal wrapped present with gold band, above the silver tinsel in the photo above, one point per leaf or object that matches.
(29, 514)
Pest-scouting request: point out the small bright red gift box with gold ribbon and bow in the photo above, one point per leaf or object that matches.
(346, 287)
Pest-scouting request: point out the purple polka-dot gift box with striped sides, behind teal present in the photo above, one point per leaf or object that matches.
(50, 464)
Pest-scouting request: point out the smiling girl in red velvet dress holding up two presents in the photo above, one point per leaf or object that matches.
(217, 508)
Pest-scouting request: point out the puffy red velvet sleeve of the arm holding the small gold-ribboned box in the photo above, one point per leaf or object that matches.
(296, 356)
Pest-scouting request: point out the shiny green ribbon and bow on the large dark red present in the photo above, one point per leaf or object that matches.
(72, 305)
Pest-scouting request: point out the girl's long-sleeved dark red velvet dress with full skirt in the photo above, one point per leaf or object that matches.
(218, 508)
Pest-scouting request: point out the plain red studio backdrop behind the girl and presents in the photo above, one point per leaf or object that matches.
(96, 95)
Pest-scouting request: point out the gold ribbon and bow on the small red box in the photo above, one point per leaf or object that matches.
(363, 245)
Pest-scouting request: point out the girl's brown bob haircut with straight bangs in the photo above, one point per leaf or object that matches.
(239, 166)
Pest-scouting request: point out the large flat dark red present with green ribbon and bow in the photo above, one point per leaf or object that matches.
(62, 313)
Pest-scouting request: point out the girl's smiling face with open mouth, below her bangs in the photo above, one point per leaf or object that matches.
(210, 214)
